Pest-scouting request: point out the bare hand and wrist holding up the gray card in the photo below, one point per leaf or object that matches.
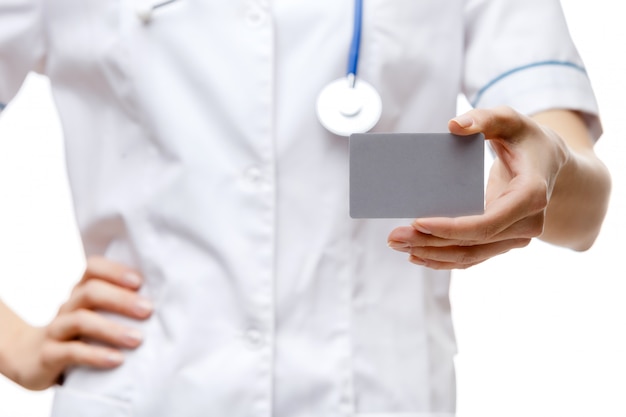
(545, 183)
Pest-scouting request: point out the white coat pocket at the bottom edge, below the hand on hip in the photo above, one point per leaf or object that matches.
(72, 403)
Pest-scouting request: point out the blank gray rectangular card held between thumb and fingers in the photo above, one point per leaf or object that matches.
(409, 175)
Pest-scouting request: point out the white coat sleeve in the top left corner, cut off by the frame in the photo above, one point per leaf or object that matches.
(22, 44)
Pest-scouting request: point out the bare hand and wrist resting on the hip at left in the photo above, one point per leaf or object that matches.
(36, 357)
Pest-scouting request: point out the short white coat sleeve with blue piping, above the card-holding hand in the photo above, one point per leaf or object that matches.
(520, 54)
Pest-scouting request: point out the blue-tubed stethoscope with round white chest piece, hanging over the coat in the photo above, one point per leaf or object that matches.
(345, 106)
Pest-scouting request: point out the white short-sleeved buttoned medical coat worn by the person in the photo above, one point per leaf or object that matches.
(194, 155)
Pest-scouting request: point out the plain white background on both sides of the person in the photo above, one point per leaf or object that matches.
(541, 331)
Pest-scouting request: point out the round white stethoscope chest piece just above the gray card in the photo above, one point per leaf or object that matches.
(344, 108)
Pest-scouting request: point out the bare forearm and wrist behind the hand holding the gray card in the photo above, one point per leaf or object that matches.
(579, 200)
